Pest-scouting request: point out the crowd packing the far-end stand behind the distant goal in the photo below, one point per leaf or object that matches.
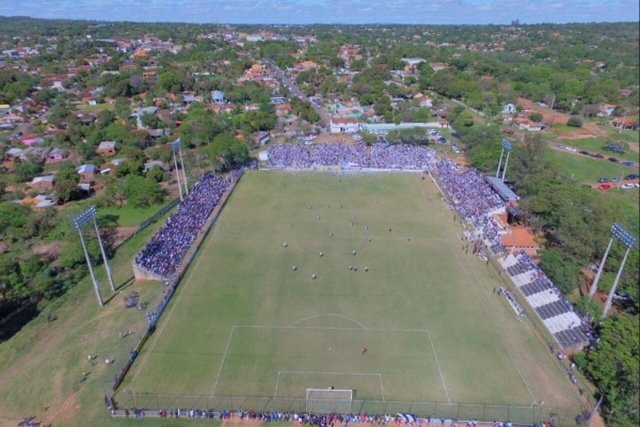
(377, 156)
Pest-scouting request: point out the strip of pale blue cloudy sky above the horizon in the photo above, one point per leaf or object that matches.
(330, 11)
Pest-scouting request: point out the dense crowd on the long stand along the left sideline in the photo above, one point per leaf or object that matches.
(167, 248)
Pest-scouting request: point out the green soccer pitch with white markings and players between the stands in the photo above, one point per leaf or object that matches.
(245, 323)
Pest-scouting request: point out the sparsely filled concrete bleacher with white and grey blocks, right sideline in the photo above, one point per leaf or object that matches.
(554, 311)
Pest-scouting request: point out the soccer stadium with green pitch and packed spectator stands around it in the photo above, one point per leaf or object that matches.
(350, 289)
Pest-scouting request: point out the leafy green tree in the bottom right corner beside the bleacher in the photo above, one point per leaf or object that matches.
(614, 368)
